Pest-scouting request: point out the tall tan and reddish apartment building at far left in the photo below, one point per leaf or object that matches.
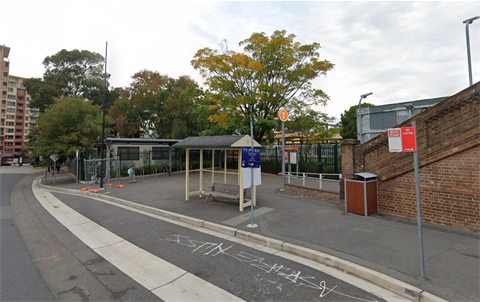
(16, 118)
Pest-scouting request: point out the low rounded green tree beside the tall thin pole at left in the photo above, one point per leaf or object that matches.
(70, 124)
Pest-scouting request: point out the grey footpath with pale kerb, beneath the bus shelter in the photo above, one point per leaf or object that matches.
(380, 248)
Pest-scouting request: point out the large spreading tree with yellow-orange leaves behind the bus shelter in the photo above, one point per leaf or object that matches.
(271, 73)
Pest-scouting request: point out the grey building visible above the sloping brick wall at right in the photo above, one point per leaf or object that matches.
(377, 119)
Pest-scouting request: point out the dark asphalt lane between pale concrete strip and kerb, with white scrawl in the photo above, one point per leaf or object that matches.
(248, 273)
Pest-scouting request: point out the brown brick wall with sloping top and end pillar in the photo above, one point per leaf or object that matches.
(448, 136)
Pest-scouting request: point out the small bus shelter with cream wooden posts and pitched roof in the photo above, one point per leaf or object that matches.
(228, 142)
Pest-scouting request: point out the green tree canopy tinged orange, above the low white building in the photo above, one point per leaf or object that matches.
(157, 105)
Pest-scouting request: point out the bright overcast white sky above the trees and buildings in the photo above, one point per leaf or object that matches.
(399, 50)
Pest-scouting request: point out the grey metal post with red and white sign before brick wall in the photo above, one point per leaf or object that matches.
(405, 140)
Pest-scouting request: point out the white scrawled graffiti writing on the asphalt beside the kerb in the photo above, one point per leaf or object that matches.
(295, 277)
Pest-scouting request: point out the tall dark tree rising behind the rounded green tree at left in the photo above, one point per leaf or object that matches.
(68, 73)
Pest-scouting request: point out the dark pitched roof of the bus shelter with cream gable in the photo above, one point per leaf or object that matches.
(217, 142)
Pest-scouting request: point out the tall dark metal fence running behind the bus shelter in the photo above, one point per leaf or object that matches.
(320, 159)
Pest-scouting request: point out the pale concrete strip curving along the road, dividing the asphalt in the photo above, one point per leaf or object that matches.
(162, 278)
